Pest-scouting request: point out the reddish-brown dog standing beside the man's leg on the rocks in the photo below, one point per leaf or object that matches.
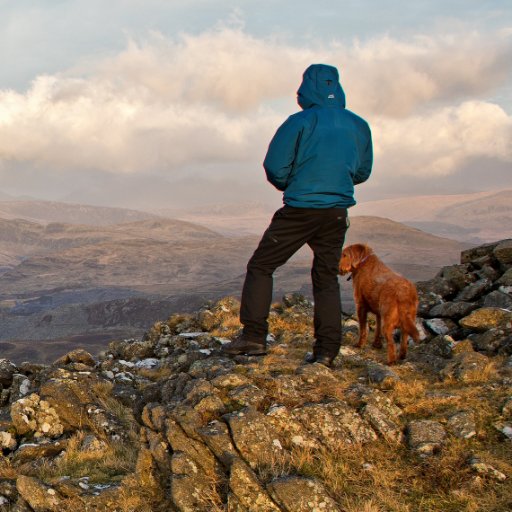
(377, 289)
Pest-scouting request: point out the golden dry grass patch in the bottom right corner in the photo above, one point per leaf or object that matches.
(361, 478)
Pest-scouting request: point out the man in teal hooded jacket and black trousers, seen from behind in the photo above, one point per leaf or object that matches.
(316, 157)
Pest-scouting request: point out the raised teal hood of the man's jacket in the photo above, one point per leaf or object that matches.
(320, 86)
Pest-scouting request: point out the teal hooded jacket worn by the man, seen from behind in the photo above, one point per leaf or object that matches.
(318, 155)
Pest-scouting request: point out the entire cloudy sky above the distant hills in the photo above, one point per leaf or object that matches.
(153, 103)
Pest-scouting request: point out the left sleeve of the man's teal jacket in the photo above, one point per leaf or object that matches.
(282, 151)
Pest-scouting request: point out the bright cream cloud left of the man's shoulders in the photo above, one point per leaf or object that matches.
(92, 124)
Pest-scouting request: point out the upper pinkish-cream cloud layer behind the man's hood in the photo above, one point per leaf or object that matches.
(383, 76)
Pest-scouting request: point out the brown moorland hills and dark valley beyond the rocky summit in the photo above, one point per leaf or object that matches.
(60, 280)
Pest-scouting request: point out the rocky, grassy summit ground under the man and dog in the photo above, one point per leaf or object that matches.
(167, 423)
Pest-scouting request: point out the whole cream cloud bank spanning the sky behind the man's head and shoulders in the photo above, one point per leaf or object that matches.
(217, 97)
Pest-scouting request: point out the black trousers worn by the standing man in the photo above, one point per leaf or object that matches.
(324, 231)
